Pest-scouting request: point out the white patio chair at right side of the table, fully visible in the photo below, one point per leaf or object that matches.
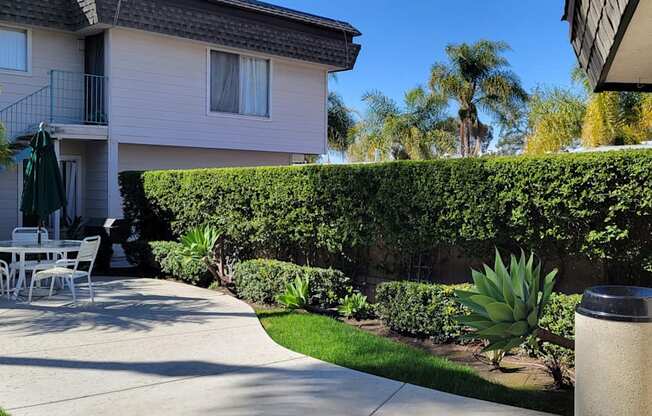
(68, 270)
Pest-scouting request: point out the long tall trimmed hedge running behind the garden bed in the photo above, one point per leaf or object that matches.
(595, 205)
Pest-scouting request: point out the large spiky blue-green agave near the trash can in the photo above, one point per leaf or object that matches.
(506, 304)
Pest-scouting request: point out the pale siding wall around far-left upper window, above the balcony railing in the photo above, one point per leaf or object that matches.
(50, 50)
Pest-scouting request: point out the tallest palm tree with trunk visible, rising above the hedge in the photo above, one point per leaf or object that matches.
(477, 77)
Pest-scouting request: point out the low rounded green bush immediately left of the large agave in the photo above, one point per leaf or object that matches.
(420, 309)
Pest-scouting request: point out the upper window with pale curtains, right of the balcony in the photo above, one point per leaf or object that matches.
(239, 84)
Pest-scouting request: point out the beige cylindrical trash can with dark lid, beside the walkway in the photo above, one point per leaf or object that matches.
(613, 352)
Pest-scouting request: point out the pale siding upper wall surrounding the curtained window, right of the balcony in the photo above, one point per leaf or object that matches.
(159, 93)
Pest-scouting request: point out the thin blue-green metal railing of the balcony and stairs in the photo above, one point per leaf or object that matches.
(70, 98)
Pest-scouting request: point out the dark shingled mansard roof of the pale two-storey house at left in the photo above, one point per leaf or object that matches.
(242, 24)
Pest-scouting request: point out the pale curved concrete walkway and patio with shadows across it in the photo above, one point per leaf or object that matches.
(152, 347)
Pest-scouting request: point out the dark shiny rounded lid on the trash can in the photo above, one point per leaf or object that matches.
(617, 303)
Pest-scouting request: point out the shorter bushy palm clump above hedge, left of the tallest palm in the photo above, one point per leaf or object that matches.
(420, 129)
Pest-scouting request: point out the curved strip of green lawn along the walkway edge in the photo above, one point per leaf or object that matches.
(329, 340)
